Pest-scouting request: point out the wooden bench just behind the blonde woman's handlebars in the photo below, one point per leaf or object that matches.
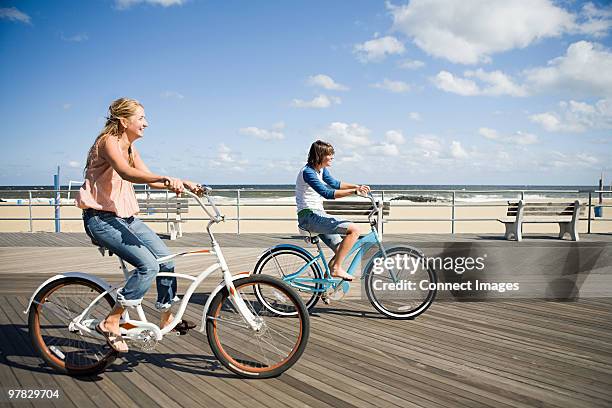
(169, 210)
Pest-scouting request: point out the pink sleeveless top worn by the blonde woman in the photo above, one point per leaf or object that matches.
(105, 190)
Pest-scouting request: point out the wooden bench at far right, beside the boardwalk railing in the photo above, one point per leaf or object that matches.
(564, 214)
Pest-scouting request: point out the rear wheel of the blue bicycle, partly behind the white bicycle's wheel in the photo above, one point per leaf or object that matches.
(280, 262)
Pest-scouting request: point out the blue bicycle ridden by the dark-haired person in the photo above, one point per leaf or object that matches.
(398, 281)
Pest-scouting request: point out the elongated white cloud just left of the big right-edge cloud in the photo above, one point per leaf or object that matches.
(493, 83)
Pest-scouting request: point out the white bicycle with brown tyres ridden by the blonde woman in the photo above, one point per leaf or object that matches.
(244, 335)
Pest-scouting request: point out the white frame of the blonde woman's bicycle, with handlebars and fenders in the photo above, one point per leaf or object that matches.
(227, 282)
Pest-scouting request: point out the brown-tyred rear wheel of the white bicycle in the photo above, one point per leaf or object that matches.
(64, 347)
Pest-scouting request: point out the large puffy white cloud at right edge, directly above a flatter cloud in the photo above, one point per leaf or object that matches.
(586, 68)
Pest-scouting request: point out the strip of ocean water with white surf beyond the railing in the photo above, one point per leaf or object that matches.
(266, 193)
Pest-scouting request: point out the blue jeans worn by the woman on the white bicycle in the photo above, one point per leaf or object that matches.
(135, 243)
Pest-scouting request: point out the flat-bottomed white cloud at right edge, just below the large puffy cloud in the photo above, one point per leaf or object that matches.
(575, 116)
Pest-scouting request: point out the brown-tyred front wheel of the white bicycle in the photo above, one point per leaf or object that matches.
(271, 350)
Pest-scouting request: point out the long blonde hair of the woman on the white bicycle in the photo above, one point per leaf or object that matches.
(121, 108)
